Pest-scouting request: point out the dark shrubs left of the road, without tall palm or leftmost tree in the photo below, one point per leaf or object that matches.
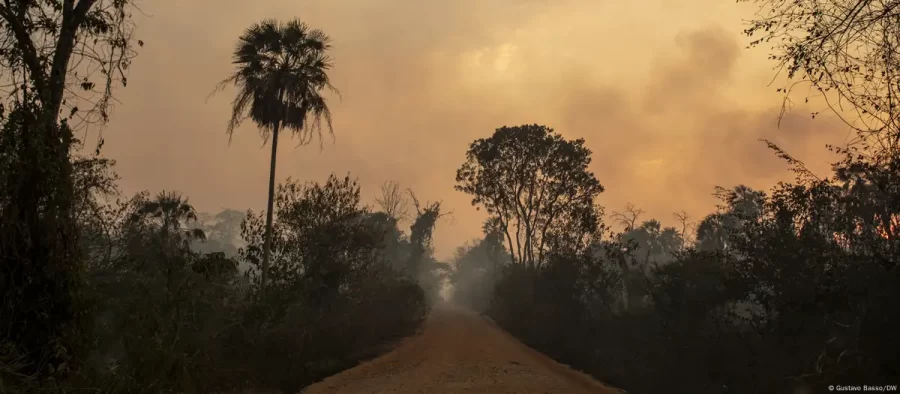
(173, 306)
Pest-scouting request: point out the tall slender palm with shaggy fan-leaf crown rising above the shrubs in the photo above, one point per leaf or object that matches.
(281, 75)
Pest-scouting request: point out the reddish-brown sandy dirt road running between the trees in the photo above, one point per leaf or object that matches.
(460, 352)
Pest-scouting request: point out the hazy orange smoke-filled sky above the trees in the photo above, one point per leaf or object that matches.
(662, 90)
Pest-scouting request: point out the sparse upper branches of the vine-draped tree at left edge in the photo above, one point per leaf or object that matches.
(68, 55)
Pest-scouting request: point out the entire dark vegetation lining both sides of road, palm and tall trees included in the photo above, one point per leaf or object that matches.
(779, 290)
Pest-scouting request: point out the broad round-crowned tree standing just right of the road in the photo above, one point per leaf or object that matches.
(537, 186)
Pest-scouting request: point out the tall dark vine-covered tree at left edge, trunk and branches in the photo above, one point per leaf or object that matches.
(63, 55)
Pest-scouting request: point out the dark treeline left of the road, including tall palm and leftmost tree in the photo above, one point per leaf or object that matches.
(101, 292)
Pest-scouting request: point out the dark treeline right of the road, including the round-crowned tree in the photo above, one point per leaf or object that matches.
(796, 288)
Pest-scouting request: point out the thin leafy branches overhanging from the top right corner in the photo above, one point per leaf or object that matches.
(847, 50)
